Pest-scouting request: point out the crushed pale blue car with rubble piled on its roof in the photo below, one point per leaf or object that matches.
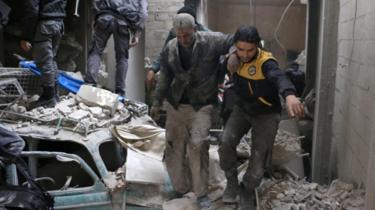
(70, 149)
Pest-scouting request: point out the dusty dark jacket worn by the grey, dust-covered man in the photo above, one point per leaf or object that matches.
(200, 82)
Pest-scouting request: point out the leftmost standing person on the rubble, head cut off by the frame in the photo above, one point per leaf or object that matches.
(44, 27)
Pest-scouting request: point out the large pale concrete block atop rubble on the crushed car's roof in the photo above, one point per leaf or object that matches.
(93, 96)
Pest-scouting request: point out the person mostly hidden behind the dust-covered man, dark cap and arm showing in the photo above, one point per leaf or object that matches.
(150, 78)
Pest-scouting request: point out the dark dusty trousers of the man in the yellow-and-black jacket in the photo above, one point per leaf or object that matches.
(263, 133)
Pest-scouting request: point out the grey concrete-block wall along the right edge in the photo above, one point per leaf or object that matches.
(354, 108)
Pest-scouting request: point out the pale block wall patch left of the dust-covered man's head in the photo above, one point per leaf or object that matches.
(160, 14)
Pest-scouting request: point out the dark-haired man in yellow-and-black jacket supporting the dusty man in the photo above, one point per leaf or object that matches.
(258, 81)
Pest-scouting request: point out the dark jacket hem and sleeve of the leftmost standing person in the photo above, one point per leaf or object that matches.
(37, 10)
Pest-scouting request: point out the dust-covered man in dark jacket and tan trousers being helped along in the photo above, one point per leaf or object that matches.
(189, 82)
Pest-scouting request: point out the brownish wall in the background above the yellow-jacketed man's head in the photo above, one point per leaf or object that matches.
(227, 16)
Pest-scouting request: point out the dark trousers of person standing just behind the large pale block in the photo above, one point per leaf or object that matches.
(105, 26)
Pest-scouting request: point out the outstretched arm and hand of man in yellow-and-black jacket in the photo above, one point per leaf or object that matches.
(286, 89)
